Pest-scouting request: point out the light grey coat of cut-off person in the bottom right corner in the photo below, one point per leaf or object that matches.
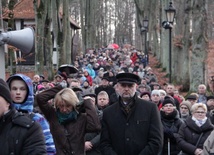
(209, 145)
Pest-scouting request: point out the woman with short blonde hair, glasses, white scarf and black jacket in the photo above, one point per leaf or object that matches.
(193, 133)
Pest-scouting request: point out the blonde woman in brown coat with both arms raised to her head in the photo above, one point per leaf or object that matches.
(67, 125)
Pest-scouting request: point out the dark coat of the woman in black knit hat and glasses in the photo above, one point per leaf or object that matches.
(171, 124)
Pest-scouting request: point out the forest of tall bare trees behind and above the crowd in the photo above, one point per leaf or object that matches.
(120, 21)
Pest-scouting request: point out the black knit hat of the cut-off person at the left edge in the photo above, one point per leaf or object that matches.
(5, 91)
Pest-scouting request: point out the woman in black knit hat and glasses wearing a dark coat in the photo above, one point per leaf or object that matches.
(171, 124)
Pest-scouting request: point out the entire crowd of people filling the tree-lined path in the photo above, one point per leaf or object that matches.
(113, 105)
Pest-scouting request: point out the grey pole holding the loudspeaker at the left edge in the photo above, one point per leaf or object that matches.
(2, 55)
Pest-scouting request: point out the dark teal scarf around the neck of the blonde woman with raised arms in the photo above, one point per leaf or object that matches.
(65, 118)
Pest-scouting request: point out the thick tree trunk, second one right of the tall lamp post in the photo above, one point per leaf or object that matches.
(199, 50)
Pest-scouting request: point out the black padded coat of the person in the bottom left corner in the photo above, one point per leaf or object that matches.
(19, 135)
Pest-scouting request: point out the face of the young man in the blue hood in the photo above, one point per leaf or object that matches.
(18, 91)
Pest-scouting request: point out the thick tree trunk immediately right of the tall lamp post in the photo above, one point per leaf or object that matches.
(182, 43)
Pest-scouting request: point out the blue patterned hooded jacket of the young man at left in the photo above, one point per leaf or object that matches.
(27, 107)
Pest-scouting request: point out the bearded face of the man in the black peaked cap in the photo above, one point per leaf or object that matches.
(126, 90)
